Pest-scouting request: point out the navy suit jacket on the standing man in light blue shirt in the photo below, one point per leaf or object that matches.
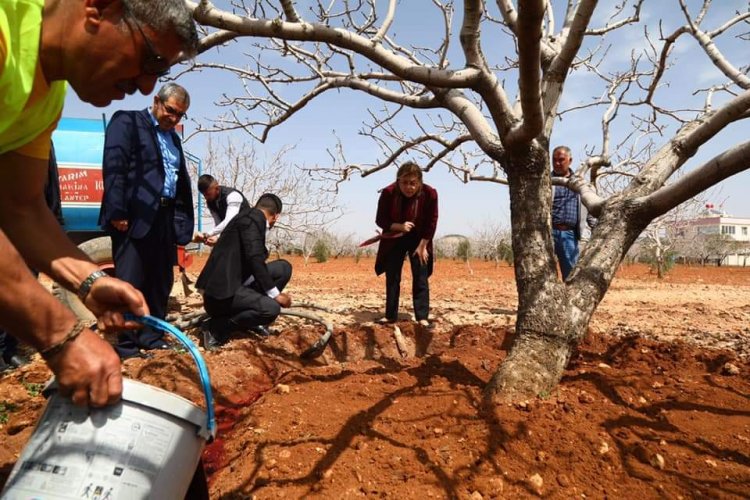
(133, 172)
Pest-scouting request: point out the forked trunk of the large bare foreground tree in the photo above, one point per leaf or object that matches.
(552, 316)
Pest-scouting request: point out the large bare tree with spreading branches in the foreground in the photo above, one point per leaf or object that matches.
(465, 120)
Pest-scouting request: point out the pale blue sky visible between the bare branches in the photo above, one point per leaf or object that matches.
(464, 208)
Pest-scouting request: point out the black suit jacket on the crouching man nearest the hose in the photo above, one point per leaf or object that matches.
(240, 253)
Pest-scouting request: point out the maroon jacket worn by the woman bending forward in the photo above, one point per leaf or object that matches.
(421, 209)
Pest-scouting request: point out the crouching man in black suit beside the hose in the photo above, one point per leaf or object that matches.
(240, 290)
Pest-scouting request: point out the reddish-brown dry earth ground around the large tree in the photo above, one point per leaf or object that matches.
(656, 403)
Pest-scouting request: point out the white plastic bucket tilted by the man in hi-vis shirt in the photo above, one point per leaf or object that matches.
(146, 446)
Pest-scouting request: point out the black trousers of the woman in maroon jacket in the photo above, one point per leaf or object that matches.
(420, 287)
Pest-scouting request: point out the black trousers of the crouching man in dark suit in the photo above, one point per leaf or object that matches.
(250, 306)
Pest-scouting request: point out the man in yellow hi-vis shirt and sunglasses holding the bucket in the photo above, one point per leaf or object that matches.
(104, 49)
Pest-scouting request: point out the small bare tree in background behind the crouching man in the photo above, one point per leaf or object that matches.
(308, 205)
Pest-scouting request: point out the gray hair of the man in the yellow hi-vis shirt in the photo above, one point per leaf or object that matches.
(165, 16)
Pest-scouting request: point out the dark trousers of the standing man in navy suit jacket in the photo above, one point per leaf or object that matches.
(148, 265)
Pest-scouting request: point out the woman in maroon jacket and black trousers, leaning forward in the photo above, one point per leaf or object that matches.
(407, 213)
